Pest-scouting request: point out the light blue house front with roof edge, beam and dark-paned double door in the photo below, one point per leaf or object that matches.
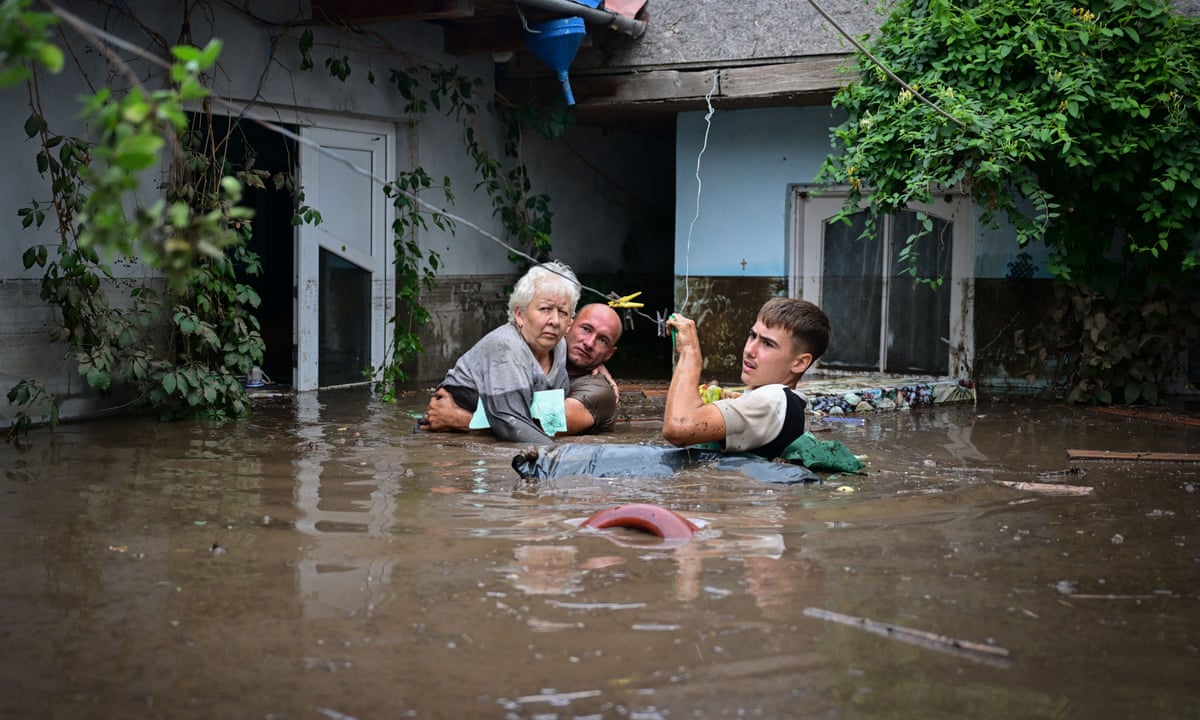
(752, 117)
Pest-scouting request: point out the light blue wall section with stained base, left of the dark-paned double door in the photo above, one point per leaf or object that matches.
(733, 217)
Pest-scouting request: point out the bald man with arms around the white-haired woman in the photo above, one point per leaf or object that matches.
(592, 401)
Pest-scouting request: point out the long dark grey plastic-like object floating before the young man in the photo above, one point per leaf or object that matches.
(623, 460)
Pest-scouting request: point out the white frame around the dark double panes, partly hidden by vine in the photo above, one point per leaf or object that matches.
(813, 207)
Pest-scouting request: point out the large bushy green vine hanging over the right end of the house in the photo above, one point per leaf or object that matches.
(1082, 128)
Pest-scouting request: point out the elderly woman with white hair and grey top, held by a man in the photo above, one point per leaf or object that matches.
(527, 355)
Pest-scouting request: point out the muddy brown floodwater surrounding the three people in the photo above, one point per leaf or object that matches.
(321, 561)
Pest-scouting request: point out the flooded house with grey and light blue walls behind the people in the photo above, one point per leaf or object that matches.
(686, 173)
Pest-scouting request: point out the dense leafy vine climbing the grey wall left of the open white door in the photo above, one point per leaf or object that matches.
(179, 350)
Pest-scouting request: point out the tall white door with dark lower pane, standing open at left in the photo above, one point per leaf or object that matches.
(344, 295)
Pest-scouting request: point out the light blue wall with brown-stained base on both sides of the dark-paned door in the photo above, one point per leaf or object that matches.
(734, 254)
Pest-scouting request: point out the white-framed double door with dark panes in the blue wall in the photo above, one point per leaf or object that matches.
(883, 319)
